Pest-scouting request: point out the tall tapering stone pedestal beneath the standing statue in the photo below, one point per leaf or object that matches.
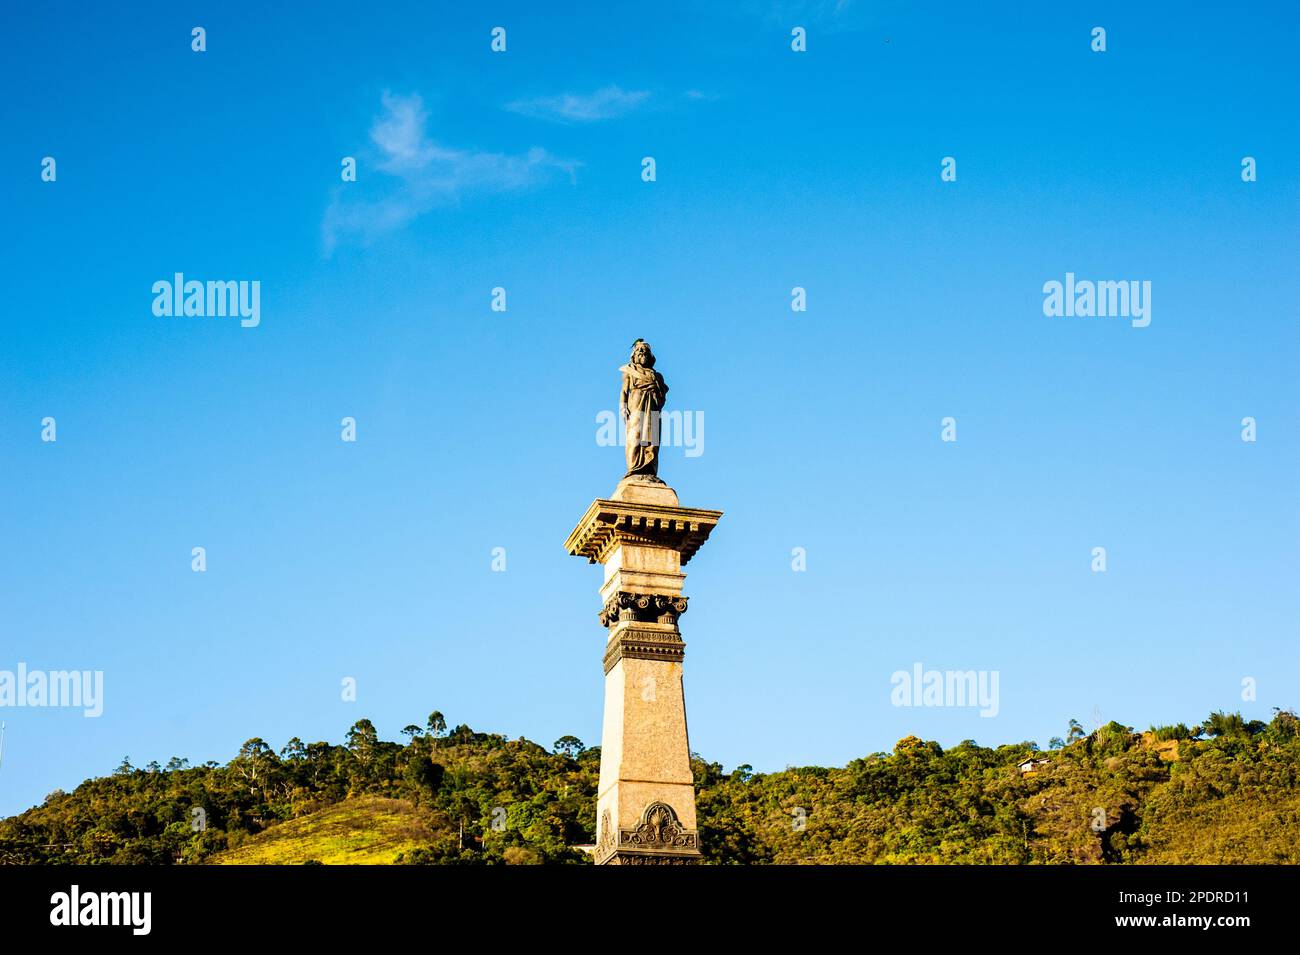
(647, 802)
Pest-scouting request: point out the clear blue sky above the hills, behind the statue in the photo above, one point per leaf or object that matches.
(476, 429)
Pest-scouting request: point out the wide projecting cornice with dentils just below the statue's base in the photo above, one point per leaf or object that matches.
(612, 523)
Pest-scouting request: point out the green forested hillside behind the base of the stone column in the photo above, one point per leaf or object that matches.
(1224, 792)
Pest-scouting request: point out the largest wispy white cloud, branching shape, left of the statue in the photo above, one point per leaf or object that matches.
(419, 175)
